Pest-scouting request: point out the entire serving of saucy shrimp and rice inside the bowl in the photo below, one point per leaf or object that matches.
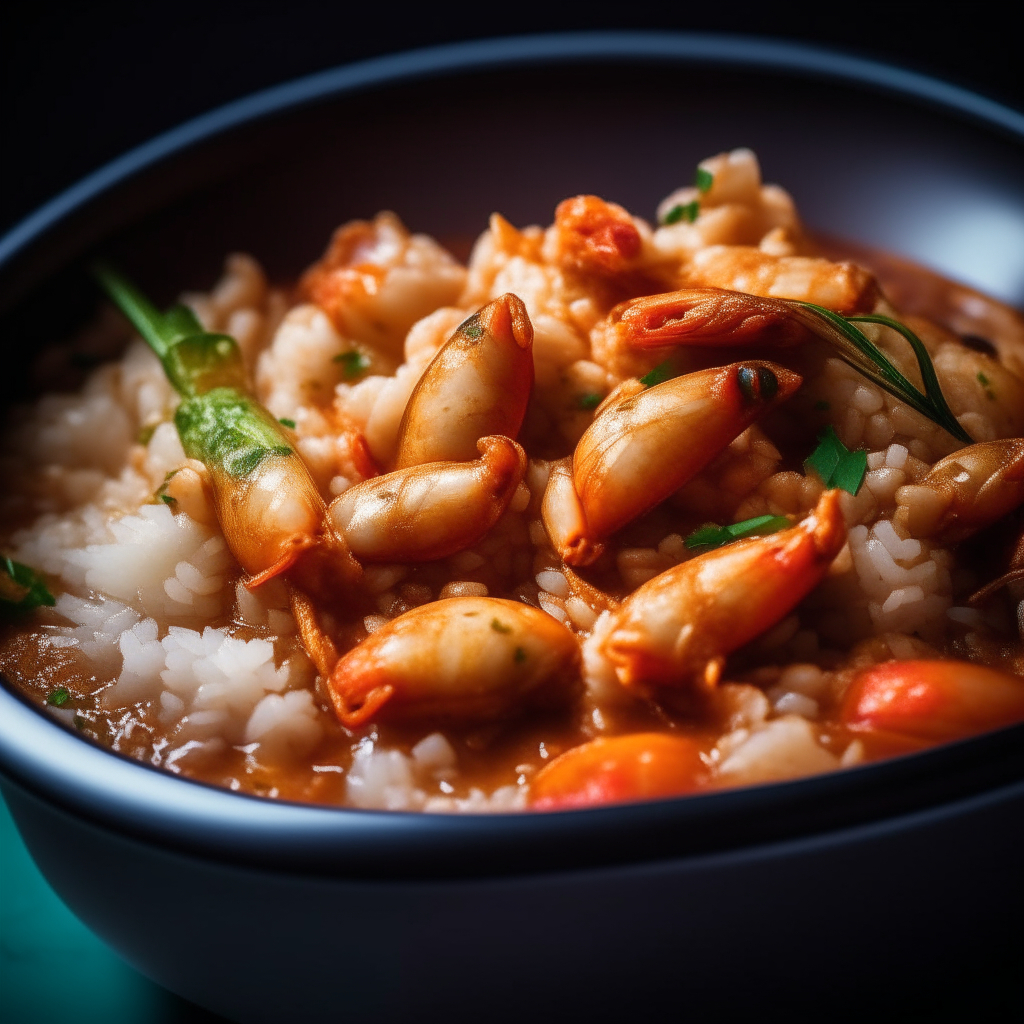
(617, 511)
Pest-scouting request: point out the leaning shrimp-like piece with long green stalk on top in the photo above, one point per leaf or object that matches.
(270, 510)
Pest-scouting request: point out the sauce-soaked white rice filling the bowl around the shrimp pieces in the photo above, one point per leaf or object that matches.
(174, 661)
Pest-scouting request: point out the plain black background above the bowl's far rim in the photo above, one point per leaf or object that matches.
(82, 84)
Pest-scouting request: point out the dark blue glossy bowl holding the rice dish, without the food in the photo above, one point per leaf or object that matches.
(785, 898)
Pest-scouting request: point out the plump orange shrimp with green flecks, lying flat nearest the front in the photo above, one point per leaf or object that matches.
(470, 659)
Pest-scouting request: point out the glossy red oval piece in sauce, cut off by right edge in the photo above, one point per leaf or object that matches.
(934, 702)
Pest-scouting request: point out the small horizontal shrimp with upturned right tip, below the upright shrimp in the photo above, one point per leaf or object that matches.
(430, 511)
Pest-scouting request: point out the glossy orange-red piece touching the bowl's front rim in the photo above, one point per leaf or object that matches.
(617, 770)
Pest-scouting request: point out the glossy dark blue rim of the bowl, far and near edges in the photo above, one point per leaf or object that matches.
(44, 759)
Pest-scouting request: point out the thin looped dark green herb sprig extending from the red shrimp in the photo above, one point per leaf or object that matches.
(858, 350)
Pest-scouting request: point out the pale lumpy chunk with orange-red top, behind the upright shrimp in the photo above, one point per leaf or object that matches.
(376, 281)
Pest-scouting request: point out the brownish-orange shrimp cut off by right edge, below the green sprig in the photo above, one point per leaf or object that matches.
(965, 492)
